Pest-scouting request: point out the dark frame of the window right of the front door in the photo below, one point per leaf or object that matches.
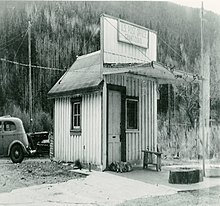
(136, 100)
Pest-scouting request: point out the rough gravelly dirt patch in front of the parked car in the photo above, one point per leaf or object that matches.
(33, 171)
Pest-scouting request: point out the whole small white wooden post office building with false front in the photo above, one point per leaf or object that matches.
(105, 106)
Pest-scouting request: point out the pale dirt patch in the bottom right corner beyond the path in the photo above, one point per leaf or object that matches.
(203, 197)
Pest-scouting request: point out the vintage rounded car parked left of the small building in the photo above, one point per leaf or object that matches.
(14, 142)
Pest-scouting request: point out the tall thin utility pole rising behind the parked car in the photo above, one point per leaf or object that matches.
(30, 82)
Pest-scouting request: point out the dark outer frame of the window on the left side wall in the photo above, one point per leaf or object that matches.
(76, 129)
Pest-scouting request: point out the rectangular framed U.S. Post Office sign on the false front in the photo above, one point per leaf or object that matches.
(132, 34)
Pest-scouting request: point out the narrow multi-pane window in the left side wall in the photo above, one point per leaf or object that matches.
(76, 116)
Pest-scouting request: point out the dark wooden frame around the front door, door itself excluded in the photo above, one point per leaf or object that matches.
(122, 90)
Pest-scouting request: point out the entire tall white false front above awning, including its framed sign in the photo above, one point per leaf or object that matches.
(125, 42)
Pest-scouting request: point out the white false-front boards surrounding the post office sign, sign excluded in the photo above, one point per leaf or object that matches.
(119, 52)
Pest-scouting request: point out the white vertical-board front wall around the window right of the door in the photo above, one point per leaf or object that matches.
(145, 137)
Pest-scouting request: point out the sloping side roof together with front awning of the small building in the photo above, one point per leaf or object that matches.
(87, 74)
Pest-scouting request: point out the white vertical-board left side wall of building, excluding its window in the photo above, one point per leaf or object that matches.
(87, 146)
